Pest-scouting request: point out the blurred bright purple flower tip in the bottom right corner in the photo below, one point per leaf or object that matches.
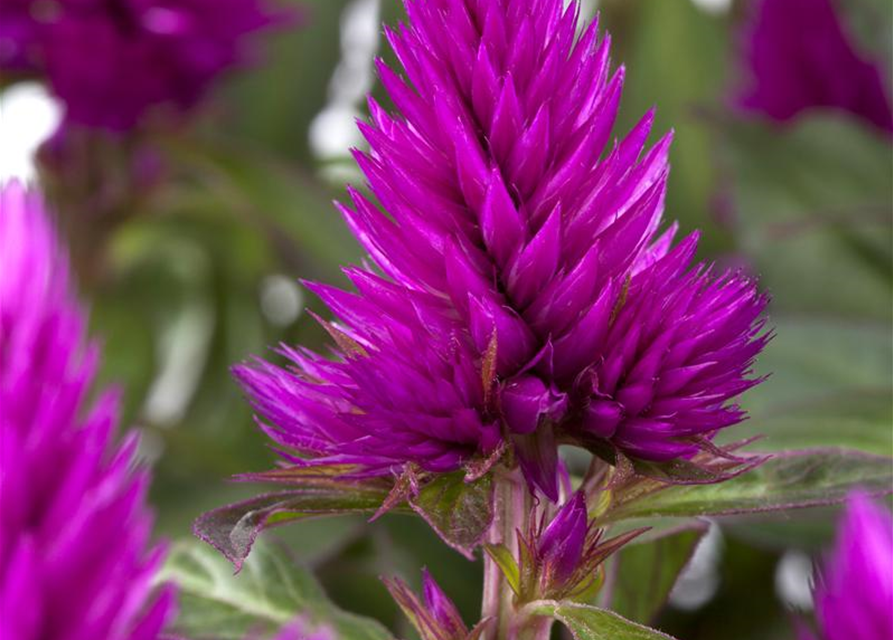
(854, 588)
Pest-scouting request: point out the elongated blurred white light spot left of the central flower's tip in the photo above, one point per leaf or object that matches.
(333, 131)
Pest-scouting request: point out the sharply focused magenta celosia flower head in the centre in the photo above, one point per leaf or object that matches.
(529, 295)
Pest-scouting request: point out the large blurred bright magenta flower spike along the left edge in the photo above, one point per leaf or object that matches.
(74, 562)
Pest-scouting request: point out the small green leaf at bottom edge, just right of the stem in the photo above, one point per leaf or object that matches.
(591, 623)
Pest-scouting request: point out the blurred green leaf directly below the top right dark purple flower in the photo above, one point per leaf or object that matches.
(813, 213)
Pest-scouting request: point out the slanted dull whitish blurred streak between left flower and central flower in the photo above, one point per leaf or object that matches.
(182, 353)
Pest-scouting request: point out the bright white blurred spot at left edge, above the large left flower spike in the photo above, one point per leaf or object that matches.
(28, 116)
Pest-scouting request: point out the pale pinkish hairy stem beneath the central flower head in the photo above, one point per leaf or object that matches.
(513, 508)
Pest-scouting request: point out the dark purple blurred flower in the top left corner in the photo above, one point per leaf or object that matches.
(112, 61)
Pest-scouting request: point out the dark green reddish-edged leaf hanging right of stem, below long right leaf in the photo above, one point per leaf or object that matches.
(644, 573)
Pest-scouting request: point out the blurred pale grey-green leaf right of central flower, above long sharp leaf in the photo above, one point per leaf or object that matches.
(840, 394)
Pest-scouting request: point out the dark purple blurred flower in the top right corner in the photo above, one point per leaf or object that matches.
(800, 57)
